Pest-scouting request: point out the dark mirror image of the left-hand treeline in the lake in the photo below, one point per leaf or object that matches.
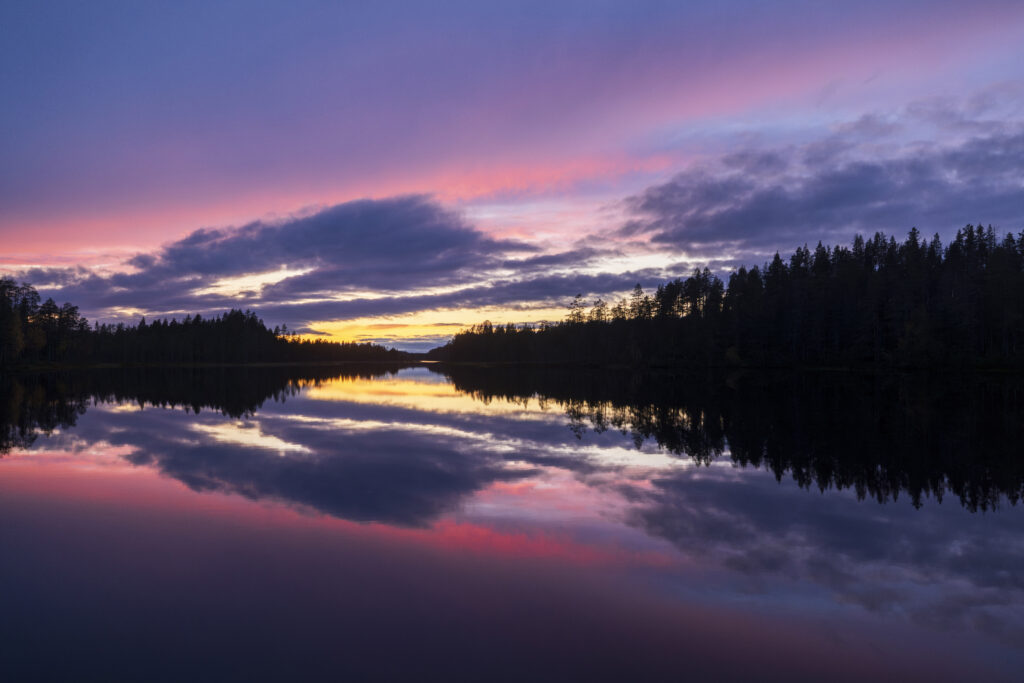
(40, 403)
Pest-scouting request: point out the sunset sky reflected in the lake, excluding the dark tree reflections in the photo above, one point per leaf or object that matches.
(373, 527)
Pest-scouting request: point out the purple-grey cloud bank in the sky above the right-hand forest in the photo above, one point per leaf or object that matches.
(759, 202)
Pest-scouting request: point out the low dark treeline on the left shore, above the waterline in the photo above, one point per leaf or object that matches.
(34, 332)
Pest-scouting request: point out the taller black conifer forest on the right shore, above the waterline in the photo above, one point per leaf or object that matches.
(876, 304)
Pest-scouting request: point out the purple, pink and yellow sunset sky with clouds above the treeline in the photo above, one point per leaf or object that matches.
(394, 172)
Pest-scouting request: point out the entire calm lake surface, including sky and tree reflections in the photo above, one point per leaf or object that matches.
(506, 525)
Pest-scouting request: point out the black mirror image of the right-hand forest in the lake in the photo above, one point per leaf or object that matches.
(878, 436)
